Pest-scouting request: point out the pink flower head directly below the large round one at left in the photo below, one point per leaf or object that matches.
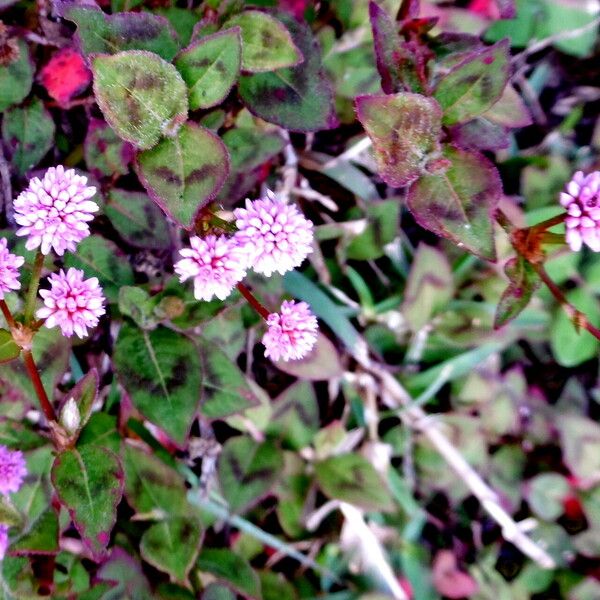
(72, 303)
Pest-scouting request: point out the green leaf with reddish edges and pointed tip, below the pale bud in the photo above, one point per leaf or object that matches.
(89, 483)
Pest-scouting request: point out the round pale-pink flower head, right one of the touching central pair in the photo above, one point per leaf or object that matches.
(276, 235)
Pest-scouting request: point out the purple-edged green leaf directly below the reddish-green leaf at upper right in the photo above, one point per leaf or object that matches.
(459, 204)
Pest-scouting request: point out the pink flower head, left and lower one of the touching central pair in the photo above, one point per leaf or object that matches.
(215, 263)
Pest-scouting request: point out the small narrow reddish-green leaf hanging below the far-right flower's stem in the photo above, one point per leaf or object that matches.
(523, 281)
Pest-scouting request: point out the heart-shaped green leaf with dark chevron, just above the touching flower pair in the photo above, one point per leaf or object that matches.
(185, 172)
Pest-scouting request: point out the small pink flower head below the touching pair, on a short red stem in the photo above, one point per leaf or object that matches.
(291, 333)
